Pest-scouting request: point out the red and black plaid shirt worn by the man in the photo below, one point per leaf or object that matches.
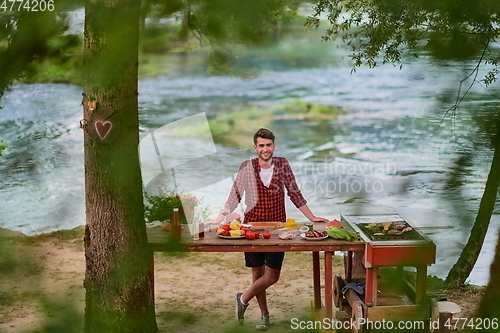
(265, 203)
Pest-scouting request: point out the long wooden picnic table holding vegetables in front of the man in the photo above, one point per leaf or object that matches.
(157, 242)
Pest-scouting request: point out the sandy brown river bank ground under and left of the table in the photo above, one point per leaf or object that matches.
(41, 287)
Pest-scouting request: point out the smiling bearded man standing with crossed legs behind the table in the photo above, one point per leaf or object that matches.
(263, 180)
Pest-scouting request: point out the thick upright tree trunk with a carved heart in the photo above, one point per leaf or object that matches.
(119, 295)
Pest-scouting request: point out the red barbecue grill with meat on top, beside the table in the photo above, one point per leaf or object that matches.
(391, 243)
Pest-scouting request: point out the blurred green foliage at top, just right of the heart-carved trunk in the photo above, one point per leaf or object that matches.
(222, 24)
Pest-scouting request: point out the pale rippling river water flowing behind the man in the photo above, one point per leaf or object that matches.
(391, 150)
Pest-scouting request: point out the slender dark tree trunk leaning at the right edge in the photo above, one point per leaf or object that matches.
(465, 263)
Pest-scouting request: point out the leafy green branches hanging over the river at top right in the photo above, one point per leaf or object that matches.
(383, 30)
